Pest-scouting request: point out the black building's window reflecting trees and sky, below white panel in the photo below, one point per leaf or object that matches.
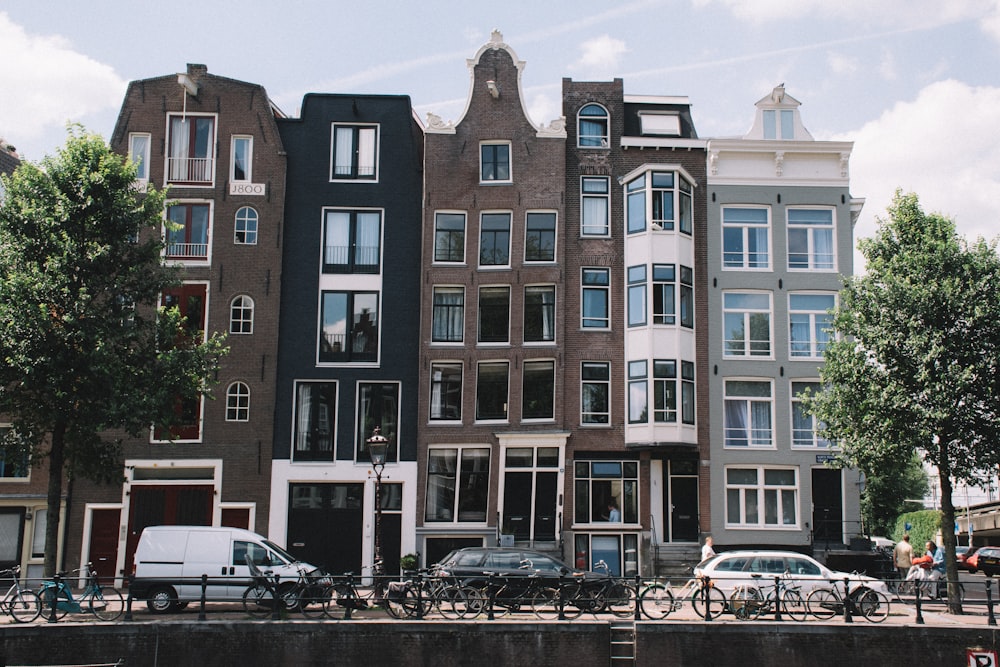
(349, 326)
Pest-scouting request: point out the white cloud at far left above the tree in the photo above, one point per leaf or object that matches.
(47, 84)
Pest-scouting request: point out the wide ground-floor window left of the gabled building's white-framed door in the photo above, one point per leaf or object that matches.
(458, 484)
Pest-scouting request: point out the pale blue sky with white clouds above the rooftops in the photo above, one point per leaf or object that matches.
(915, 84)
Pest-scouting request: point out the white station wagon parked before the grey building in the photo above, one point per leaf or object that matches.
(735, 568)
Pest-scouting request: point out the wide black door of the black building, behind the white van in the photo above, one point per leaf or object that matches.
(325, 525)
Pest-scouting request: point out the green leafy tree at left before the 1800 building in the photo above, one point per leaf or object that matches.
(87, 356)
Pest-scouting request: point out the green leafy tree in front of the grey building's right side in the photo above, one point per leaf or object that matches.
(916, 363)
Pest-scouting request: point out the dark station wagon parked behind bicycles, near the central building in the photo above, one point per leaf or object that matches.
(472, 565)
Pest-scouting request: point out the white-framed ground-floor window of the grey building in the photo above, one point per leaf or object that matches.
(762, 491)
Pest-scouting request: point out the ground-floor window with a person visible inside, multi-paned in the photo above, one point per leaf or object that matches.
(599, 484)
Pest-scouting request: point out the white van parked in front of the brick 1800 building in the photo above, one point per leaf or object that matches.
(170, 560)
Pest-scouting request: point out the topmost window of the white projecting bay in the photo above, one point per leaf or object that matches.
(666, 196)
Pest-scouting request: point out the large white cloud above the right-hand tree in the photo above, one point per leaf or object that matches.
(943, 146)
